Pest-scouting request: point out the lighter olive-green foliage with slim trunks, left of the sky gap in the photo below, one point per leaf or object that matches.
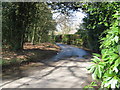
(42, 26)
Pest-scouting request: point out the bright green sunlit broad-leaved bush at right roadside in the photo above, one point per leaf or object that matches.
(106, 67)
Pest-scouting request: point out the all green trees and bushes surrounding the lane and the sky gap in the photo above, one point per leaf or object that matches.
(32, 22)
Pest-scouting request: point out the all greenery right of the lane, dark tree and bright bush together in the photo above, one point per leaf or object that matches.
(100, 26)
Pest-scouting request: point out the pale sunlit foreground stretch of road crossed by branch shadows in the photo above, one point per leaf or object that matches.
(69, 72)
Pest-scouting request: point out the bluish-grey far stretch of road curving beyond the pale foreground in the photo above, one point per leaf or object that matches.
(68, 51)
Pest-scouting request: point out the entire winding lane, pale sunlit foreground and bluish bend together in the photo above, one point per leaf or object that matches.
(68, 71)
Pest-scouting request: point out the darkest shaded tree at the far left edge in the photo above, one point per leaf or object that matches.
(15, 21)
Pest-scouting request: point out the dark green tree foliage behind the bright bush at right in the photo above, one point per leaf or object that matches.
(99, 18)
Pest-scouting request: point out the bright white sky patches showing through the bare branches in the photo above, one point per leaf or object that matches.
(75, 20)
